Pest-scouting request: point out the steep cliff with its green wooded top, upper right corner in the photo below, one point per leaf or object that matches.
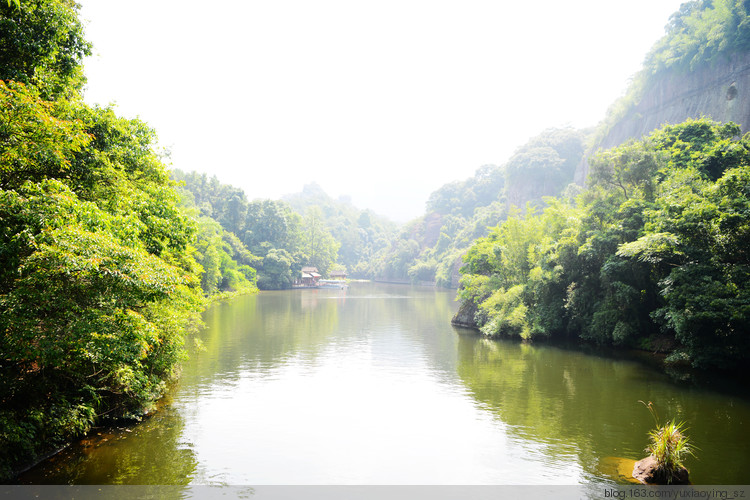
(701, 67)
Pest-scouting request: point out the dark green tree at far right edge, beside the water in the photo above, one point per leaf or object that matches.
(697, 236)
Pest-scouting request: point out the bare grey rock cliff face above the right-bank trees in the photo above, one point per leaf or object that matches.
(720, 91)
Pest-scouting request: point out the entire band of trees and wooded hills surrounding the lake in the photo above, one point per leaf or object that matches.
(107, 258)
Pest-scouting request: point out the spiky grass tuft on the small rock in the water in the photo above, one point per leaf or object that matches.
(669, 446)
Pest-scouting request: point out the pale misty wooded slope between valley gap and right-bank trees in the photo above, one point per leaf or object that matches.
(429, 249)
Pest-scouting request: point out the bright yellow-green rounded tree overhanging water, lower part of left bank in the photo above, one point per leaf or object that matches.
(92, 322)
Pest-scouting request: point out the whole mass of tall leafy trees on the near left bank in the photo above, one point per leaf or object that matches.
(98, 279)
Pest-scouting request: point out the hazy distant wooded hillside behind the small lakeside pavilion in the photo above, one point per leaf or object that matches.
(280, 237)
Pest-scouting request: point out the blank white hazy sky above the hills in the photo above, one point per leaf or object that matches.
(383, 100)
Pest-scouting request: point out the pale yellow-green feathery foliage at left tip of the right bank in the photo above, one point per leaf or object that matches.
(514, 274)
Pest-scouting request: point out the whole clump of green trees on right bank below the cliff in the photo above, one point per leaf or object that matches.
(656, 246)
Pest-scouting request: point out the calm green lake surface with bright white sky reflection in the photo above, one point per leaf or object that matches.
(372, 385)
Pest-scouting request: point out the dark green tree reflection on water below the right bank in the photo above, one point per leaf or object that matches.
(588, 407)
